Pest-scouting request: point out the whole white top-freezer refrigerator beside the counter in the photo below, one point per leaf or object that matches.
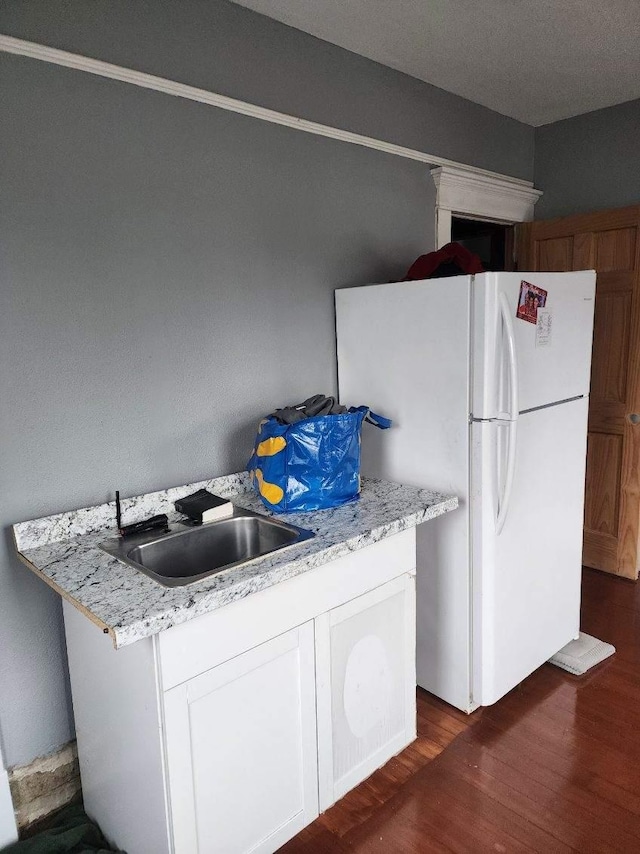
(486, 379)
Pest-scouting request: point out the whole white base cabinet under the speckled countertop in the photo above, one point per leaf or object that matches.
(227, 733)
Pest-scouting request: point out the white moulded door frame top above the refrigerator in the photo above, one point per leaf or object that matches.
(466, 192)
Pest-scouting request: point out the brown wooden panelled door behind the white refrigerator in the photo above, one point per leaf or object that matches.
(609, 242)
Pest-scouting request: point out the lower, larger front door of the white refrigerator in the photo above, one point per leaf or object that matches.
(526, 579)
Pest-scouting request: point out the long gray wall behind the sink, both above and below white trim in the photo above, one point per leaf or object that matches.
(168, 268)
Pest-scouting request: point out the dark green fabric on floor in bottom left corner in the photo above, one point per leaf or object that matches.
(70, 832)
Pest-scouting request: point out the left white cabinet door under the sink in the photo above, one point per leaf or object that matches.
(241, 750)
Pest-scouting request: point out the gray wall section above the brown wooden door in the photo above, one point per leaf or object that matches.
(589, 162)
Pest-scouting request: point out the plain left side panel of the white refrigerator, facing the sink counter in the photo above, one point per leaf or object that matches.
(403, 349)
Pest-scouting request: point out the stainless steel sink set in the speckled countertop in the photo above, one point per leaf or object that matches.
(184, 556)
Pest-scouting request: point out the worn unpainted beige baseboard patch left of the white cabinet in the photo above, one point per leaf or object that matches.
(44, 785)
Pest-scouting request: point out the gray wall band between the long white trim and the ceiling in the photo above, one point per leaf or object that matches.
(232, 50)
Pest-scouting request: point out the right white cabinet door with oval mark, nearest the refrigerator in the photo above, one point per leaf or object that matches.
(366, 683)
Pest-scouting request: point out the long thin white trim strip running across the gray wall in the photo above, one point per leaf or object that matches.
(19, 47)
